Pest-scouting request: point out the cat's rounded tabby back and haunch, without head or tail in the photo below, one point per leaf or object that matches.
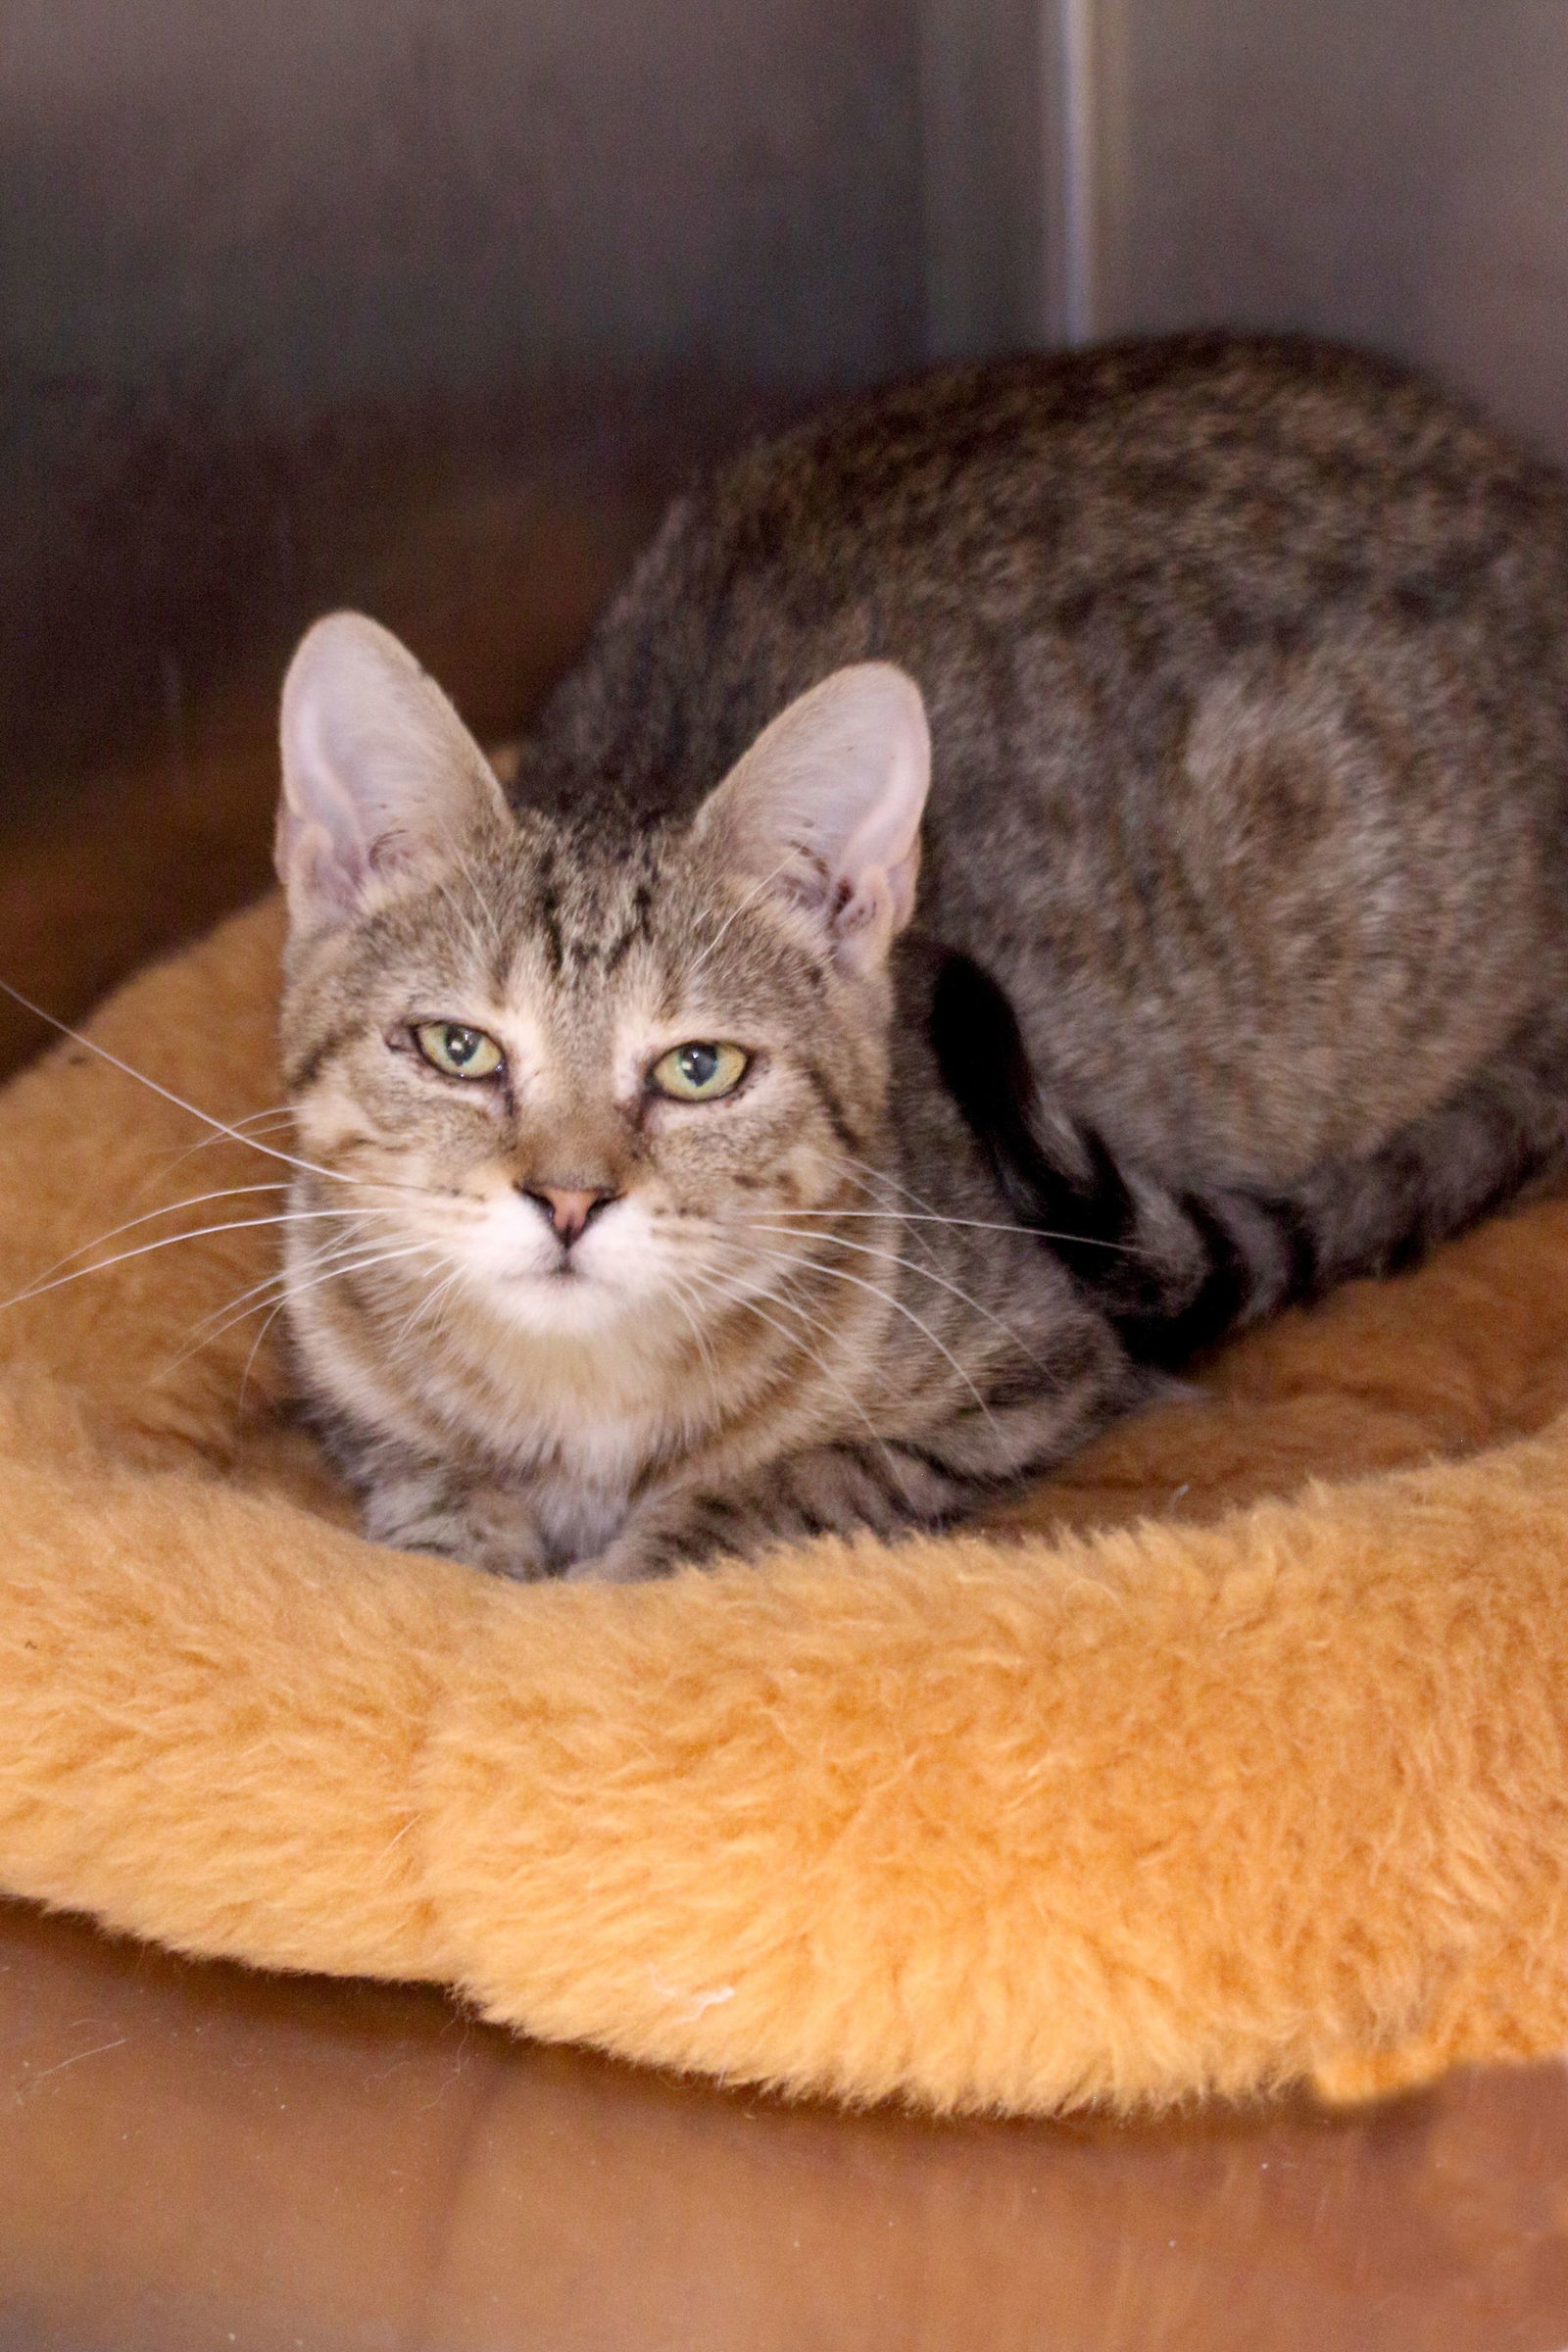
(1249, 697)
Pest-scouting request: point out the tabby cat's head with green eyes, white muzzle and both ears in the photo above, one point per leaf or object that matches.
(587, 1069)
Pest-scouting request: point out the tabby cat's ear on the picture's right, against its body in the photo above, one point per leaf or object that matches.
(826, 808)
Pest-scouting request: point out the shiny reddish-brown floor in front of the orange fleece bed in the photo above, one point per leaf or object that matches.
(194, 2158)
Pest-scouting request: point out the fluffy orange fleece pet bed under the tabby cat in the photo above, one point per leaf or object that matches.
(1240, 1793)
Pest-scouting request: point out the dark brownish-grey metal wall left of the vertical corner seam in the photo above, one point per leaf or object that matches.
(288, 283)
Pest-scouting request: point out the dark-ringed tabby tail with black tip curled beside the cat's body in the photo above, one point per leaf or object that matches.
(1177, 1271)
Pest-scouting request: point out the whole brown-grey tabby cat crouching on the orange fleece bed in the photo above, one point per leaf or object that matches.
(1038, 869)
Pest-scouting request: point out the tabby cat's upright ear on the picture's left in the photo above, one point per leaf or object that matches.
(380, 777)
